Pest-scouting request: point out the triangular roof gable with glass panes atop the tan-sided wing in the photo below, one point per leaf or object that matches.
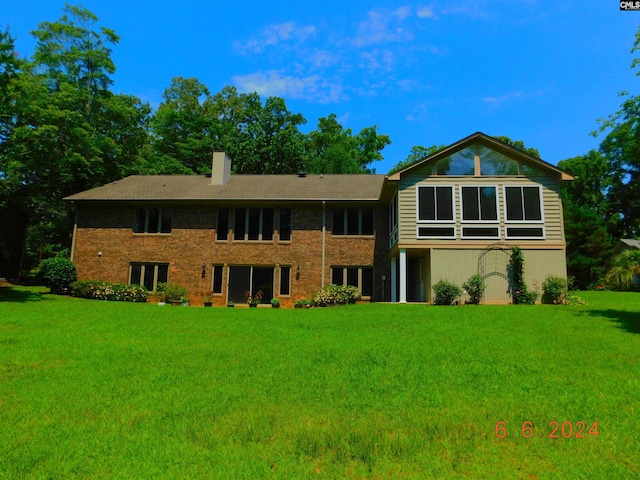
(496, 159)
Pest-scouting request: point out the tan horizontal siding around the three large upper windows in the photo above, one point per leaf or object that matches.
(550, 195)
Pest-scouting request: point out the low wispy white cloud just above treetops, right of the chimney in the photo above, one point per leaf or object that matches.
(272, 83)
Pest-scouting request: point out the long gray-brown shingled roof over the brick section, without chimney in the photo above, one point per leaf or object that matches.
(239, 187)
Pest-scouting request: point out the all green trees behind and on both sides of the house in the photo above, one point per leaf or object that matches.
(64, 130)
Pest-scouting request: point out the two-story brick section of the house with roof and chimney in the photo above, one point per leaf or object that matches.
(287, 235)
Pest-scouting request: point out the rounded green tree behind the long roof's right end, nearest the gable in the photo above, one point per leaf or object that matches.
(333, 149)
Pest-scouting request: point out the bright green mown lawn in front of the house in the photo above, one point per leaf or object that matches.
(92, 389)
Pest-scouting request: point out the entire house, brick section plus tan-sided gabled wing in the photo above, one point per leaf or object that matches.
(454, 214)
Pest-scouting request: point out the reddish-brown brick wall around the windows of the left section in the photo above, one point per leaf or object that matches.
(108, 230)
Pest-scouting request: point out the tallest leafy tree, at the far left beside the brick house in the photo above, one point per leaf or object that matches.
(67, 132)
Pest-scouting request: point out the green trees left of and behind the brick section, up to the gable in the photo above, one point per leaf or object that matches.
(64, 130)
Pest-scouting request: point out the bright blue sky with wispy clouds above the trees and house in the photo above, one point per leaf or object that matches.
(541, 71)
